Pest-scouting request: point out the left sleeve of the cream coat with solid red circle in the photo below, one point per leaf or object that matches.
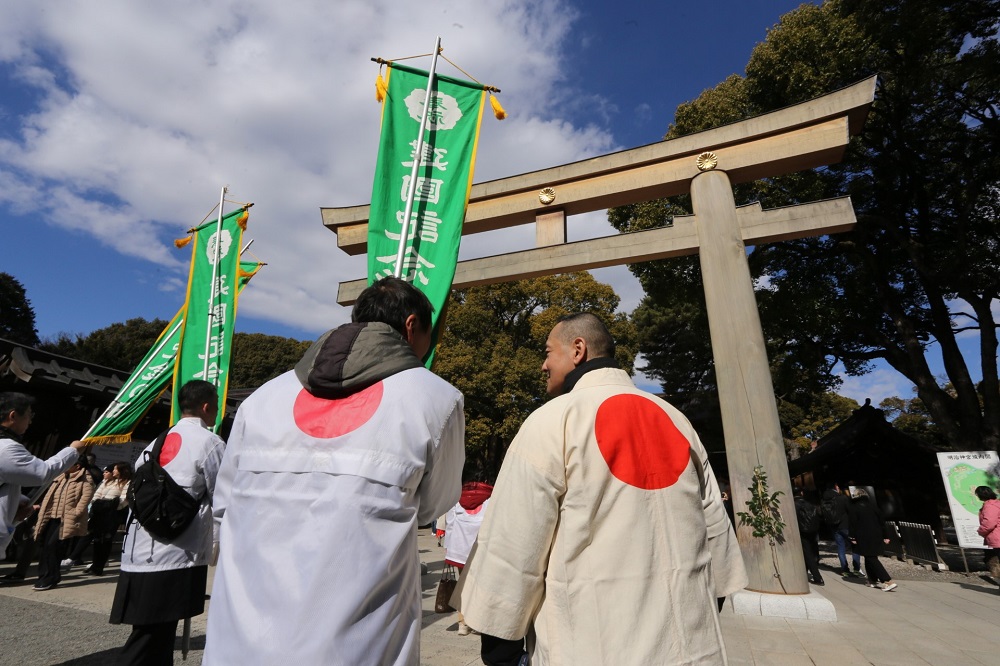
(503, 582)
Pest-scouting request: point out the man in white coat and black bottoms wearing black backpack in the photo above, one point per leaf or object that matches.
(163, 582)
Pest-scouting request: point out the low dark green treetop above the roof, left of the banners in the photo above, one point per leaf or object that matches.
(120, 346)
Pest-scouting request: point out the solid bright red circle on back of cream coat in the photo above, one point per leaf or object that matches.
(640, 442)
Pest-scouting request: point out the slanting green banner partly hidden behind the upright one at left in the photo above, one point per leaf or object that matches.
(149, 379)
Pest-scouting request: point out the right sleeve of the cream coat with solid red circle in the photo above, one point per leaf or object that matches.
(727, 561)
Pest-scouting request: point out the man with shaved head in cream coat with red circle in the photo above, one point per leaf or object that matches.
(606, 540)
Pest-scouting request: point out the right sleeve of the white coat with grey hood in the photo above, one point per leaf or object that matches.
(441, 486)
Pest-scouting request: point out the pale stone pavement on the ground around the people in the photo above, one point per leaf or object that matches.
(951, 623)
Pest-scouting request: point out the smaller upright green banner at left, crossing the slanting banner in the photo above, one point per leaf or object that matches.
(210, 308)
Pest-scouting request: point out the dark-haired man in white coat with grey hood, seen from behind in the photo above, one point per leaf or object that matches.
(328, 471)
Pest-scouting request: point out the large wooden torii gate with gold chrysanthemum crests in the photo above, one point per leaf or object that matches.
(706, 164)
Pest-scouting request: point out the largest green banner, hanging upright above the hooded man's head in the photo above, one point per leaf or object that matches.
(443, 180)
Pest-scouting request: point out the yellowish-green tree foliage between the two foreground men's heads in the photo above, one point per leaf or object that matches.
(493, 346)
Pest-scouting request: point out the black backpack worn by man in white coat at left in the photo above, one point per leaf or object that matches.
(162, 507)
